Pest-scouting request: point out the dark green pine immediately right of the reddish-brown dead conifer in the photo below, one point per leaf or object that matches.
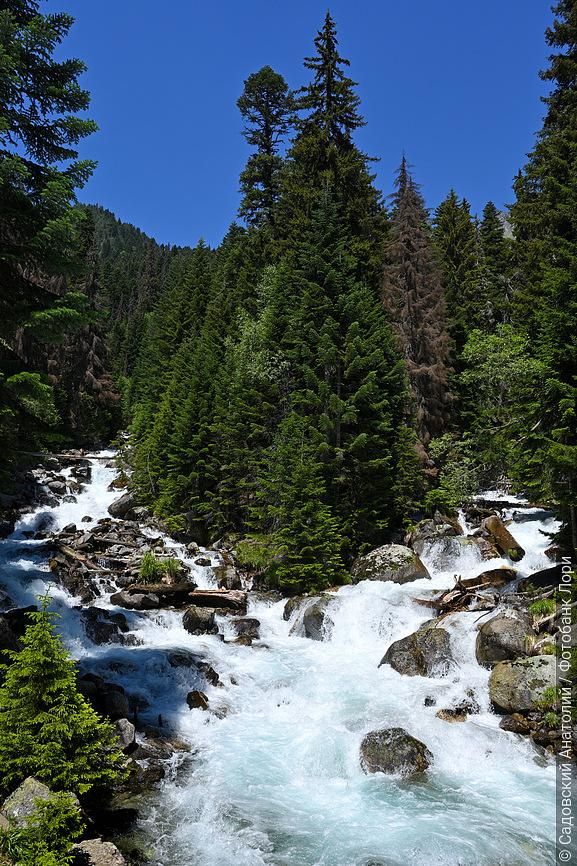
(455, 240)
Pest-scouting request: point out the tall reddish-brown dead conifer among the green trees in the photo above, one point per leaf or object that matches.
(414, 299)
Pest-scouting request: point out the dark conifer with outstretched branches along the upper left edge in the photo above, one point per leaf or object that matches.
(40, 233)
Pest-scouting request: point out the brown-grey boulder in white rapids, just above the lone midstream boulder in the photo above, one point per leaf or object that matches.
(425, 653)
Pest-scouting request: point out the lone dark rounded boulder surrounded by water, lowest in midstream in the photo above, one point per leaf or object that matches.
(394, 751)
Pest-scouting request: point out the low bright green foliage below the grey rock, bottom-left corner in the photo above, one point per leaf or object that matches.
(48, 836)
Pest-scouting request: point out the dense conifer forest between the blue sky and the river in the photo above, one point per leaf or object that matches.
(340, 365)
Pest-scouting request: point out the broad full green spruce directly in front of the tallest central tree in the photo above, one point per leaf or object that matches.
(346, 375)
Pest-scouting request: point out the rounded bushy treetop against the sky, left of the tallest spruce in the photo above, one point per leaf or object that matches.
(266, 106)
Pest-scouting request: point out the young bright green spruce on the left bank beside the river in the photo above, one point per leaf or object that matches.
(47, 728)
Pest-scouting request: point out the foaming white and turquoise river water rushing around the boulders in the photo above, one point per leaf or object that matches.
(274, 778)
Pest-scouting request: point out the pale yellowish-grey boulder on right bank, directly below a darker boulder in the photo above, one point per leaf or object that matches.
(520, 685)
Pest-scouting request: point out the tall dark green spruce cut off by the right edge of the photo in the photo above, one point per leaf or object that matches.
(544, 217)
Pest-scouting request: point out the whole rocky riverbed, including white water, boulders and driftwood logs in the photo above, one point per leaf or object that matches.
(429, 670)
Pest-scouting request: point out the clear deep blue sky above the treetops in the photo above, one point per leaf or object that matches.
(453, 83)
